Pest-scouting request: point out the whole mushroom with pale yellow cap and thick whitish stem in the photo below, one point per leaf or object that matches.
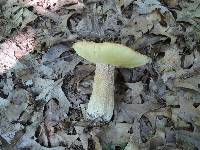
(106, 56)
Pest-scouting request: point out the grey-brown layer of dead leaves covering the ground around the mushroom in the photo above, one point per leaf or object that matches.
(45, 87)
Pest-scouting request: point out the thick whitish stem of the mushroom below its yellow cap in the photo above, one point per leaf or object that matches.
(101, 102)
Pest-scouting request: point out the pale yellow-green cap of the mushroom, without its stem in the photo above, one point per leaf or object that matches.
(110, 53)
